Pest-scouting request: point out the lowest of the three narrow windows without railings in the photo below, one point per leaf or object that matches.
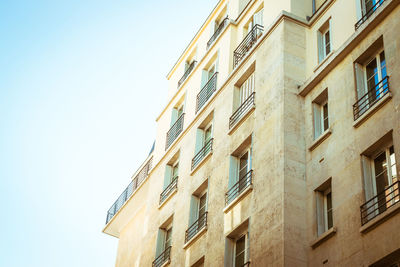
(324, 207)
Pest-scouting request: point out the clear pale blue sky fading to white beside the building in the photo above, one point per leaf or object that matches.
(81, 83)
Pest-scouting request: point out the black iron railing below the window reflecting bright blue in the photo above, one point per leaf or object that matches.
(371, 98)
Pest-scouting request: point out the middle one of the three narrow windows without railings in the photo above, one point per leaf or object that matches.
(321, 114)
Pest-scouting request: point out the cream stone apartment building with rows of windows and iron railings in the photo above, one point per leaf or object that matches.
(279, 145)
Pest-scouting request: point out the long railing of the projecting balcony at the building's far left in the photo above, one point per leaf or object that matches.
(136, 182)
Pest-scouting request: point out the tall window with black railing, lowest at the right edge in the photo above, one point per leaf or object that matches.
(380, 179)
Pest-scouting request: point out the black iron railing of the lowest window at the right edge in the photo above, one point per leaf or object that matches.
(380, 203)
